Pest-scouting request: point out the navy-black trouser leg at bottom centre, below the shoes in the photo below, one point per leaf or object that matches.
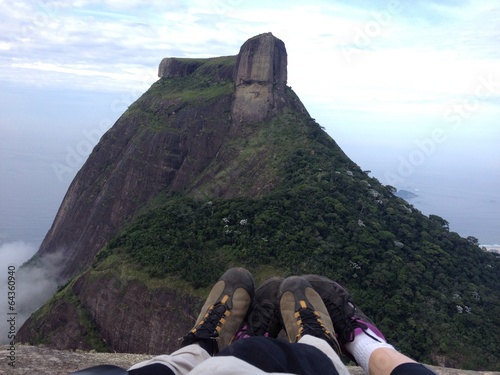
(274, 355)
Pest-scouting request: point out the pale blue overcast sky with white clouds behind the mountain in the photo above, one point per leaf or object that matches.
(405, 87)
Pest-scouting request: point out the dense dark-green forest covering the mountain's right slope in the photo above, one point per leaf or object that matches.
(431, 291)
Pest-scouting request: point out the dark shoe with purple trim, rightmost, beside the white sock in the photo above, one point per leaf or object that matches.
(346, 316)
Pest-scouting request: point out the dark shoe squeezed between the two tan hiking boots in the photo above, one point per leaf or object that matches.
(264, 319)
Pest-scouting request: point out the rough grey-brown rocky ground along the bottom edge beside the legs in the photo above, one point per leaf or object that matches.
(44, 361)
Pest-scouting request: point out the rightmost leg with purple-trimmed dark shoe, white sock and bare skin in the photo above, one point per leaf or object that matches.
(359, 338)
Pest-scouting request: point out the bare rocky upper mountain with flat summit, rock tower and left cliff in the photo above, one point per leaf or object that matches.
(176, 137)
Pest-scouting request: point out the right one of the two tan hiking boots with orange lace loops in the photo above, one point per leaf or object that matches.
(304, 312)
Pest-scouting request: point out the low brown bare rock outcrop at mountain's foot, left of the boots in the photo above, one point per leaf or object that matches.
(105, 312)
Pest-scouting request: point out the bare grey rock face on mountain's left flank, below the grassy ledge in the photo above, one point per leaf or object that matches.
(132, 163)
